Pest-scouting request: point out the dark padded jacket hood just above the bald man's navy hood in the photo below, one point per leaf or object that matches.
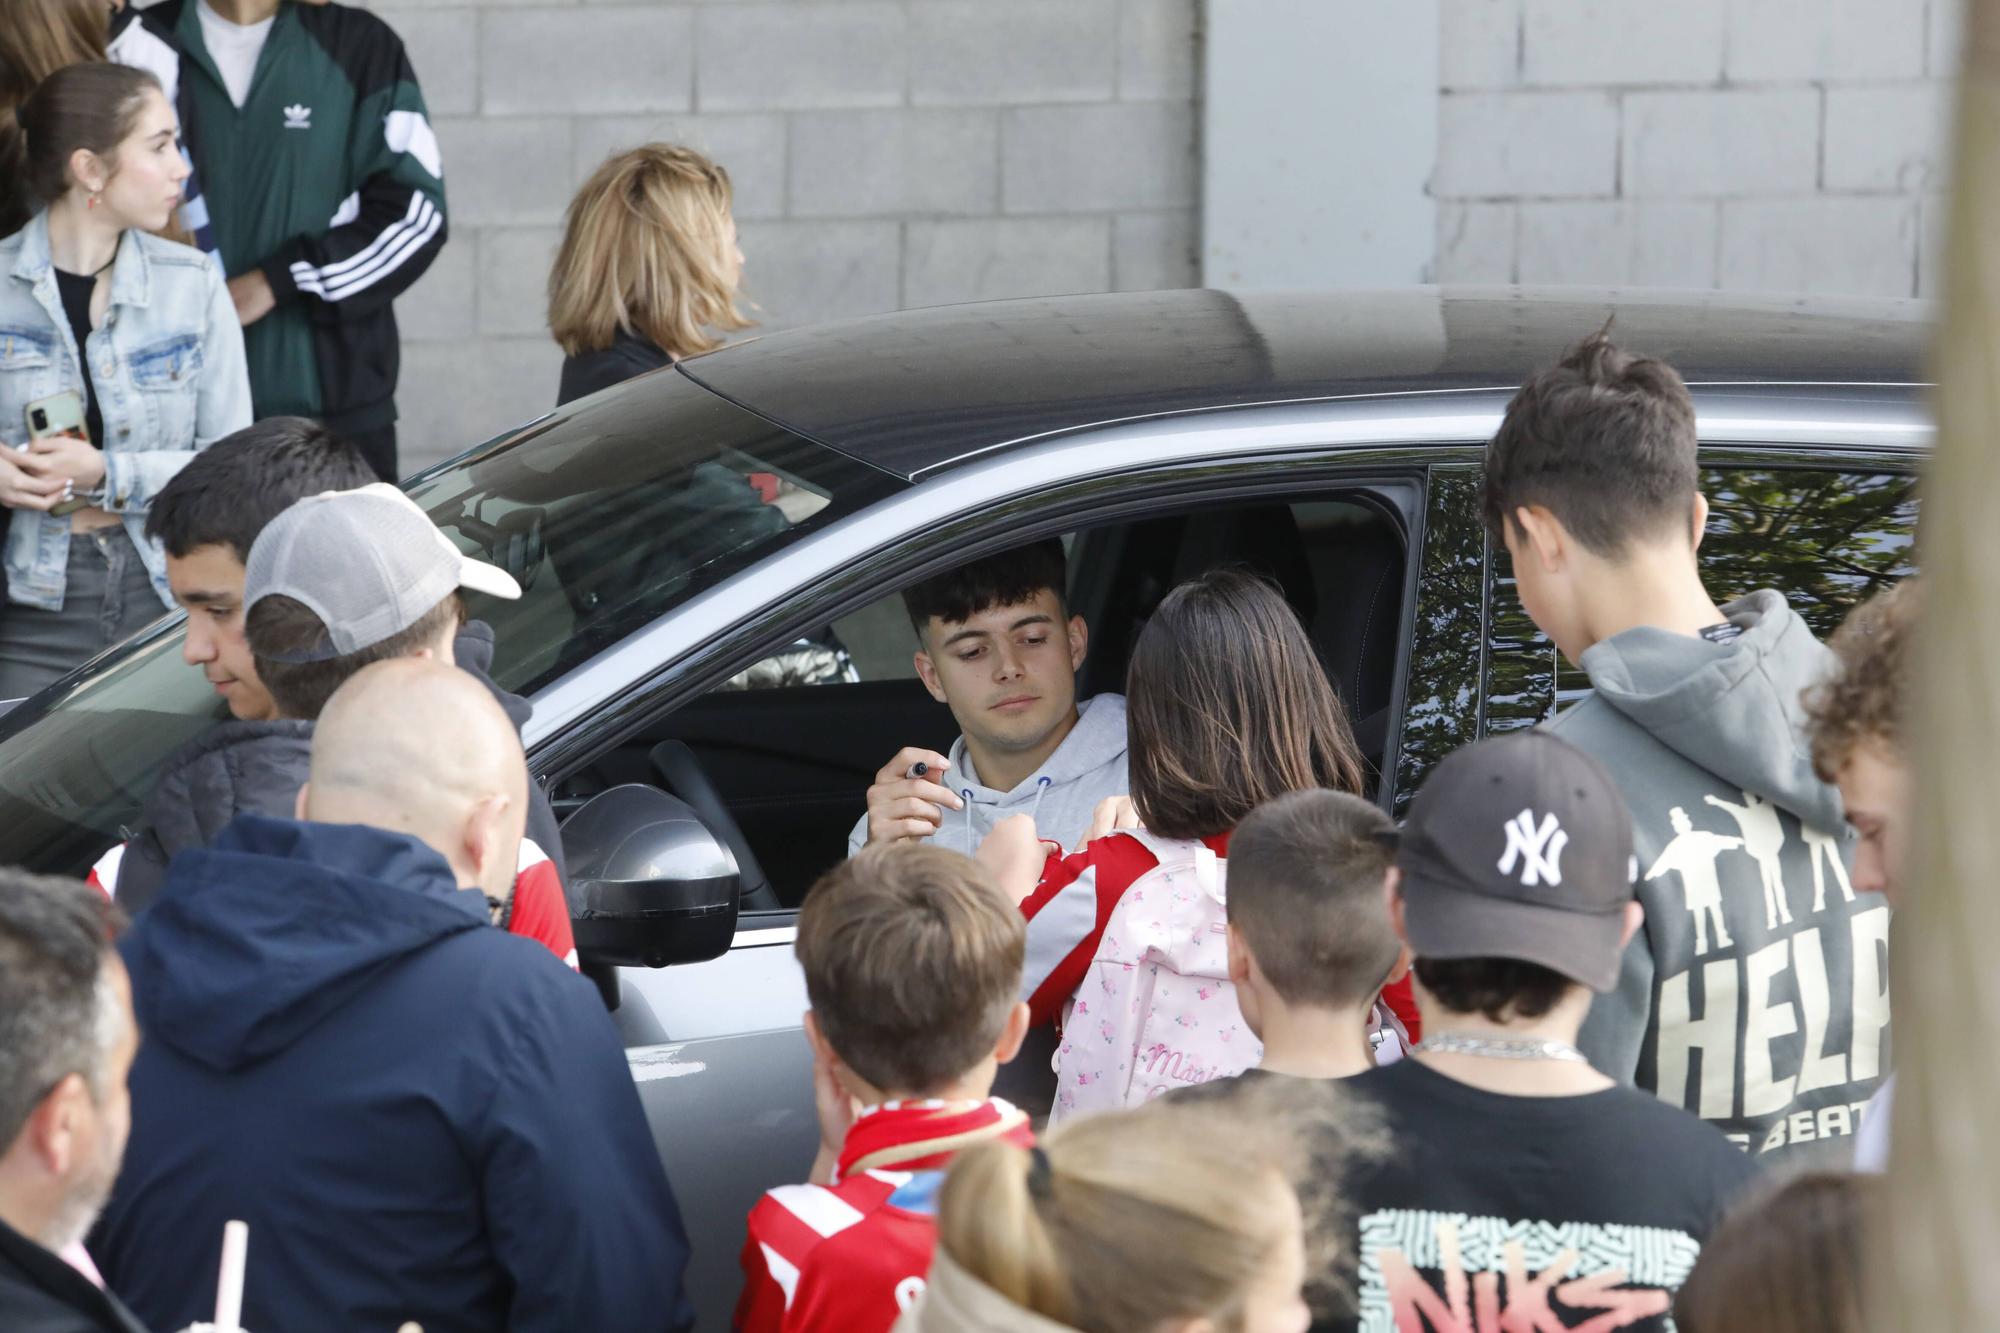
(227, 772)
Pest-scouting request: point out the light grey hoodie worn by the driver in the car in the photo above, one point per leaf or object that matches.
(1063, 794)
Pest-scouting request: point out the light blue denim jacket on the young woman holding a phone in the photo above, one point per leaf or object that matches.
(169, 369)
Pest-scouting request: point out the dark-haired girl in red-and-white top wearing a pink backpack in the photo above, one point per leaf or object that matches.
(1227, 708)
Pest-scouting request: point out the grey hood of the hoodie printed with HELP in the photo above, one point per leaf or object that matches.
(1727, 708)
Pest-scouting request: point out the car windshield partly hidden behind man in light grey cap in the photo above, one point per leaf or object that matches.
(609, 513)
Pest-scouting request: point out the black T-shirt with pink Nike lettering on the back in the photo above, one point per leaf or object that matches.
(1507, 1200)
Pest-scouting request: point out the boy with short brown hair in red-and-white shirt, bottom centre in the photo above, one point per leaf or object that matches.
(913, 962)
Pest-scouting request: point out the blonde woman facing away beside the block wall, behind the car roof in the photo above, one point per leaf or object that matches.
(647, 271)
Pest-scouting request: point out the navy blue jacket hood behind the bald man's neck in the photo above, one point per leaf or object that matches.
(275, 928)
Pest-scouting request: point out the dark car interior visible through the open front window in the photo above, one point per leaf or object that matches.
(783, 772)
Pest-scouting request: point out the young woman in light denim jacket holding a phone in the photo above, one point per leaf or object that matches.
(139, 331)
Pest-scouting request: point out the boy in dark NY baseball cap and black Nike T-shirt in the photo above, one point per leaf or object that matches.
(1523, 1182)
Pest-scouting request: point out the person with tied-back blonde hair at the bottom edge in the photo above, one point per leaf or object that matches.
(1177, 1216)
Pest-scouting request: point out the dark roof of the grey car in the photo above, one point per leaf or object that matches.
(923, 389)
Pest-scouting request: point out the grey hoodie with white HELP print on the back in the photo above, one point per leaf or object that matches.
(1757, 992)
